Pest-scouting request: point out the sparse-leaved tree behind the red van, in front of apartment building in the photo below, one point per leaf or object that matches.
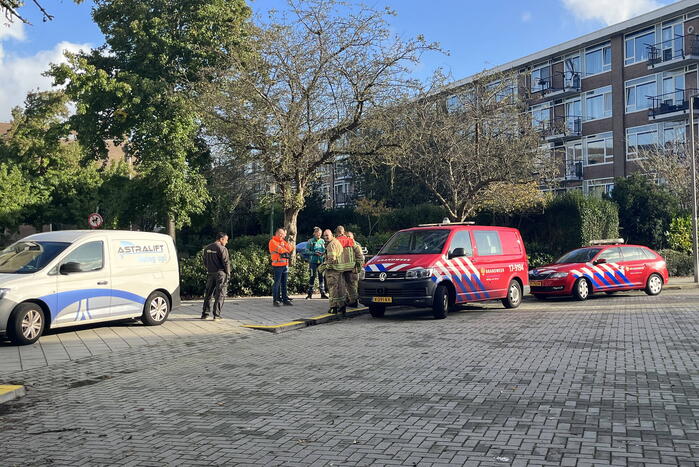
(468, 146)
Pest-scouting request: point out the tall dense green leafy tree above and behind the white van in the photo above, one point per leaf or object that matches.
(139, 89)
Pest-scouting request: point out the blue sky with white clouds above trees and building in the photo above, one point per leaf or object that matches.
(477, 34)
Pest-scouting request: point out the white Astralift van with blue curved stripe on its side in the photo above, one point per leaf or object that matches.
(74, 277)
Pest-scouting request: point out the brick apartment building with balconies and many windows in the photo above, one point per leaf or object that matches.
(600, 99)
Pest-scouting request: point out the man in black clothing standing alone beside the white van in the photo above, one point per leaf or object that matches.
(219, 268)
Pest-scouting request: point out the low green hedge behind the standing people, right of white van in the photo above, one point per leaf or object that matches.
(251, 274)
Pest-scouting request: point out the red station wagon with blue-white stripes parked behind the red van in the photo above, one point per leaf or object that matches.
(605, 266)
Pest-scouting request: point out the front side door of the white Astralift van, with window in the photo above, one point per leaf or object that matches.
(83, 288)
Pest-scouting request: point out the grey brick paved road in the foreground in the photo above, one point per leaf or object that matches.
(609, 381)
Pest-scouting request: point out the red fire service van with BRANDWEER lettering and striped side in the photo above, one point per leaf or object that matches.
(441, 265)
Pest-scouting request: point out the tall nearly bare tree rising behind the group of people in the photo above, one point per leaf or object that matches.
(317, 71)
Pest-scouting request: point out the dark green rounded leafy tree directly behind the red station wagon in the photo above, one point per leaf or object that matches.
(646, 210)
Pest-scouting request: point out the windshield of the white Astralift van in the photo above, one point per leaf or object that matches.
(28, 257)
